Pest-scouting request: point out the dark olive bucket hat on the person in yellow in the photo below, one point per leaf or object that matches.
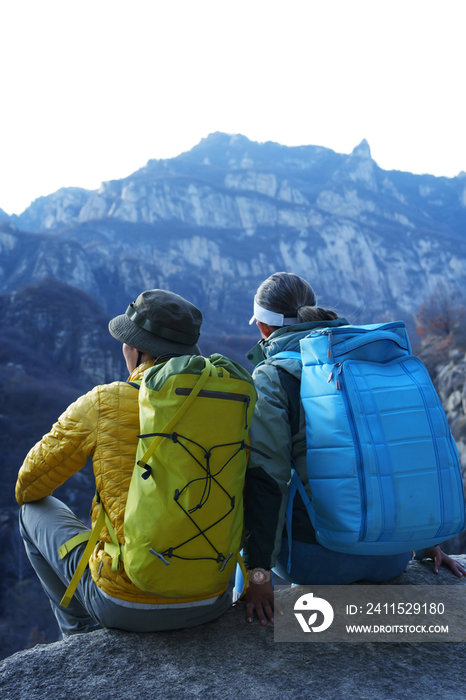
(159, 323)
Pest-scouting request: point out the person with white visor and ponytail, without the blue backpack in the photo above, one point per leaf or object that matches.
(286, 311)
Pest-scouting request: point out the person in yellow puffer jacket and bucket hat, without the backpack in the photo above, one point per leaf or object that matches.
(104, 424)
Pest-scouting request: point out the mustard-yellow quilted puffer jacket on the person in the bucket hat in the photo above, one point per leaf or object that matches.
(102, 424)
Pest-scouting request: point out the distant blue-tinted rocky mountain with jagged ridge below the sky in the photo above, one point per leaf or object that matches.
(213, 222)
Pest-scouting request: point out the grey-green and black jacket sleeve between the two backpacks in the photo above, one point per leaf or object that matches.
(266, 491)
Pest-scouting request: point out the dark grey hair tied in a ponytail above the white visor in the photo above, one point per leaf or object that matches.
(290, 295)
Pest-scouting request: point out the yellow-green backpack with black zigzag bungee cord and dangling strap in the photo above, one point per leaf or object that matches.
(184, 512)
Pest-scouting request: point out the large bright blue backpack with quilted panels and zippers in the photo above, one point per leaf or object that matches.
(382, 464)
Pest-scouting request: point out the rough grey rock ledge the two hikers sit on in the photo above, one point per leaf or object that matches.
(229, 659)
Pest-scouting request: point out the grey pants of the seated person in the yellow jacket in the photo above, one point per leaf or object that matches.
(45, 525)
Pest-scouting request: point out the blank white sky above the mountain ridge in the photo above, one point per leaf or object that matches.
(91, 90)
